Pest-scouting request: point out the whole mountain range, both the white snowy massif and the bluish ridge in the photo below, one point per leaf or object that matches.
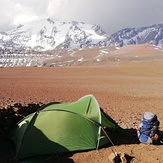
(50, 34)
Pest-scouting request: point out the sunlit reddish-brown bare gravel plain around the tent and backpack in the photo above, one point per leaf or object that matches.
(124, 89)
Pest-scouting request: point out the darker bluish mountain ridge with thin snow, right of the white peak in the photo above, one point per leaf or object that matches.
(145, 35)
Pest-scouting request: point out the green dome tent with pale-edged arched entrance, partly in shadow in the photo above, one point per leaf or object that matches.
(61, 128)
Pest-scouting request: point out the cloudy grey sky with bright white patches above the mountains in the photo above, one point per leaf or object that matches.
(111, 15)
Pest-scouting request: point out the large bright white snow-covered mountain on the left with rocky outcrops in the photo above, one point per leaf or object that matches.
(49, 34)
